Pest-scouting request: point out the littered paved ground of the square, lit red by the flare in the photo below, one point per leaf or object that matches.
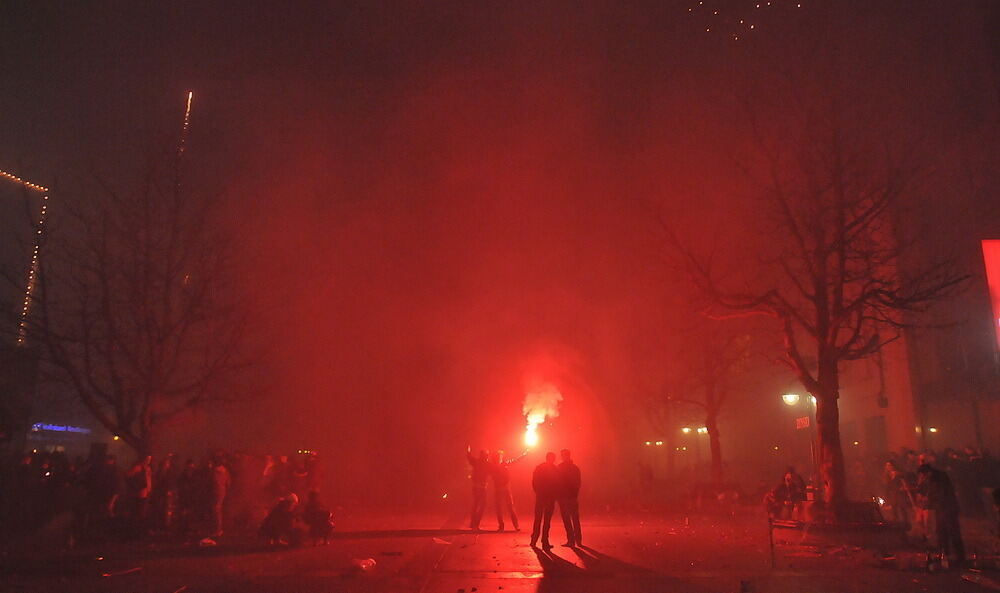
(428, 555)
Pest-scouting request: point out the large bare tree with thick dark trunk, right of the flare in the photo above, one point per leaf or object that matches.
(833, 272)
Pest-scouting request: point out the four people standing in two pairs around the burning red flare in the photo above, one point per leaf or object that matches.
(552, 483)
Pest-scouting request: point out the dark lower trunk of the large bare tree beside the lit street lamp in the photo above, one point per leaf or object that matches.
(830, 454)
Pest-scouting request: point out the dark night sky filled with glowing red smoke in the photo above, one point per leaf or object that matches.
(434, 203)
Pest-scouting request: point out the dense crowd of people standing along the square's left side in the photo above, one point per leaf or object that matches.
(165, 496)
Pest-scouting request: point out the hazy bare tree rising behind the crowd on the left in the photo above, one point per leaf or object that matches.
(134, 308)
